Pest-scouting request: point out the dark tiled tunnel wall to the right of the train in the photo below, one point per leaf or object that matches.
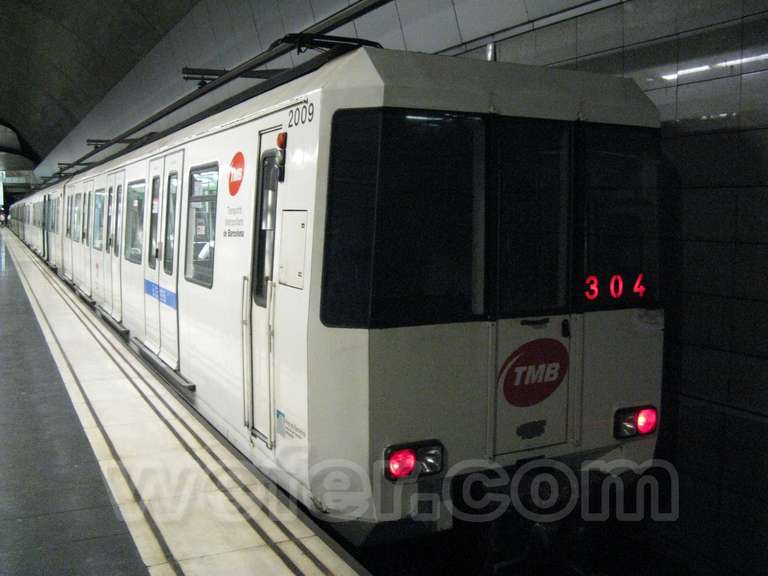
(705, 65)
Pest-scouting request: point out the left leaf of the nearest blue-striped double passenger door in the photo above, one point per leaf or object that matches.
(151, 269)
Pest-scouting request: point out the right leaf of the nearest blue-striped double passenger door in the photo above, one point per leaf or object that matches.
(168, 267)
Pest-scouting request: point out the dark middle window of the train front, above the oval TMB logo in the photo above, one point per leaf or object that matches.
(533, 216)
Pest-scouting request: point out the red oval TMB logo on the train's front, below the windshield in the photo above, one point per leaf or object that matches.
(534, 371)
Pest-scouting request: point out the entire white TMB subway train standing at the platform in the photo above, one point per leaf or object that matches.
(389, 270)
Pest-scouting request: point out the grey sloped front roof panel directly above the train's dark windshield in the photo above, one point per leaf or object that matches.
(412, 79)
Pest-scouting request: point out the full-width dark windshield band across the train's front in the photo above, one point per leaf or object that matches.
(437, 217)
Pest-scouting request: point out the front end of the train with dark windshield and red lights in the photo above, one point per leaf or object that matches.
(490, 298)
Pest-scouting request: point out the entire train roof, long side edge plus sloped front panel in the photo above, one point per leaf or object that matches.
(401, 79)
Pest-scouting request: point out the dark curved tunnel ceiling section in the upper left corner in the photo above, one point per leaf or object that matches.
(58, 58)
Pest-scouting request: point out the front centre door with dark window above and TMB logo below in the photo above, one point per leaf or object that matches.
(536, 351)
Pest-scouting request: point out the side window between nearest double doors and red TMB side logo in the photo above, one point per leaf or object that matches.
(201, 225)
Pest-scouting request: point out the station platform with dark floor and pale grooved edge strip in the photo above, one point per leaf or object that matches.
(106, 471)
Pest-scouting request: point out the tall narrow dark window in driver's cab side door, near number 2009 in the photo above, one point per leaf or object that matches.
(267, 213)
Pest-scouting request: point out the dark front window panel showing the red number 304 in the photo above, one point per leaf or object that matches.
(619, 217)
